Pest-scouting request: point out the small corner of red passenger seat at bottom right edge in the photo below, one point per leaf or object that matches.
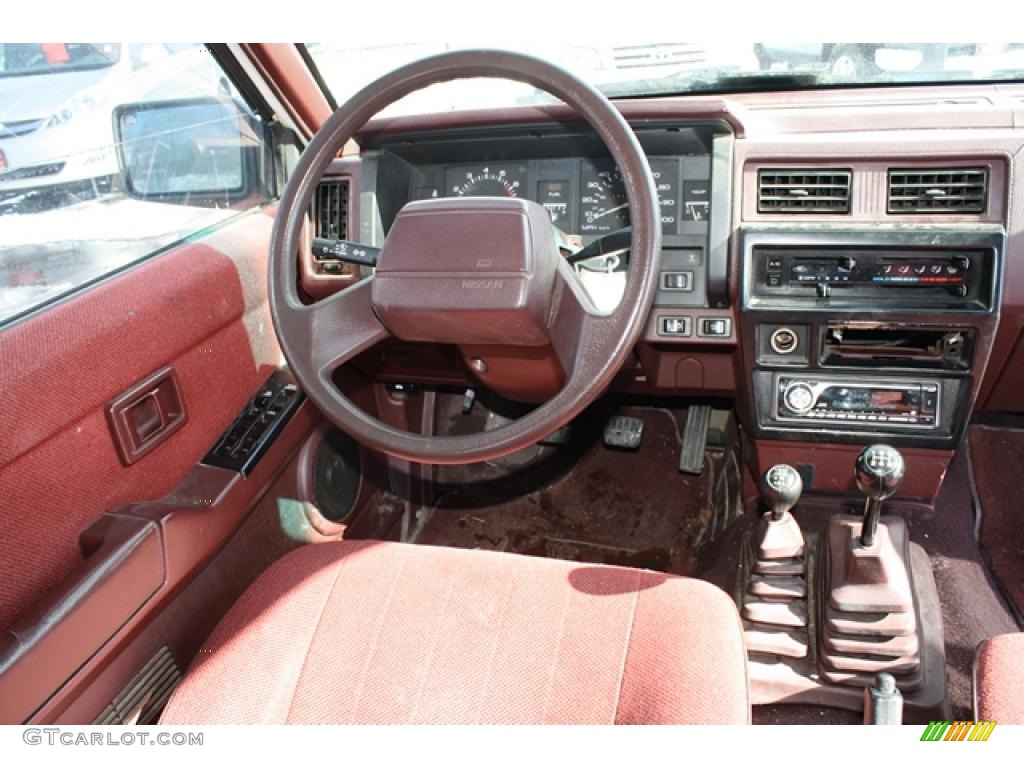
(999, 684)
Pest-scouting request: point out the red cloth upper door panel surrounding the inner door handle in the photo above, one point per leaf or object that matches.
(200, 308)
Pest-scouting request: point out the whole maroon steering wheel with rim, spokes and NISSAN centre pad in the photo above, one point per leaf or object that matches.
(474, 271)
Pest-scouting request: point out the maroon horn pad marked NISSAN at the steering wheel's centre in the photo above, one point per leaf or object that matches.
(468, 271)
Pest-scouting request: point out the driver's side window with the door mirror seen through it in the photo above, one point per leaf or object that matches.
(110, 152)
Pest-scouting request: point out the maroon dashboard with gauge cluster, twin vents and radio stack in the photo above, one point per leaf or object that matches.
(829, 317)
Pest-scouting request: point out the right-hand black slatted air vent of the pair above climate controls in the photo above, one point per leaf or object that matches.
(937, 191)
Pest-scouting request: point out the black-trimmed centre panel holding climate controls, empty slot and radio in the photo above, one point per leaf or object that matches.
(856, 335)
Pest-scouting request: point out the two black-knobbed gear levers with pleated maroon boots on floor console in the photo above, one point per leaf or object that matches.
(830, 615)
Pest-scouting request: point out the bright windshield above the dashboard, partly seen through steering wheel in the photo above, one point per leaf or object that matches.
(654, 69)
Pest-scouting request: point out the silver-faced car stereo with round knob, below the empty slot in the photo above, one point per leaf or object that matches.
(884, 404)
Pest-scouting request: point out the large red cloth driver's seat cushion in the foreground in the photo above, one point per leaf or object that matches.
(387, 633)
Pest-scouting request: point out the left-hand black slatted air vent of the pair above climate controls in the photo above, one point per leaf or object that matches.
(804, 191)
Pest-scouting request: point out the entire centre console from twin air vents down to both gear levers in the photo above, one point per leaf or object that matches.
(866, 335)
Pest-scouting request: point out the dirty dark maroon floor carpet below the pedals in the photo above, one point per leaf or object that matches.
(615, 507)
